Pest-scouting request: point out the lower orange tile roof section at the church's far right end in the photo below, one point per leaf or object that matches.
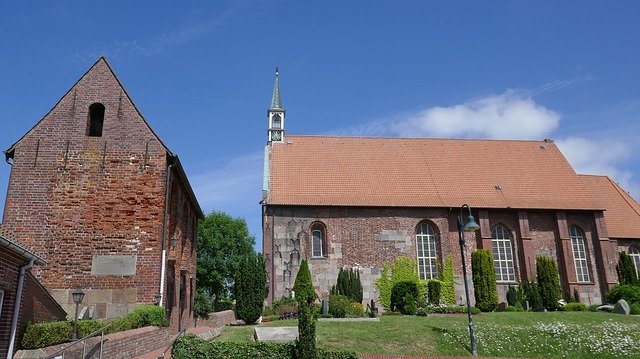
(622, 212)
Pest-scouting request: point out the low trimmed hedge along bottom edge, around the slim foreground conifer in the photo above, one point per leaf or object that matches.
(191, 347)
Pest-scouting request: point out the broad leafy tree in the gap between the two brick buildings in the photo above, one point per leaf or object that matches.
(223, 241)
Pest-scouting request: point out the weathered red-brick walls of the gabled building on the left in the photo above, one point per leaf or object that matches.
(102, 209)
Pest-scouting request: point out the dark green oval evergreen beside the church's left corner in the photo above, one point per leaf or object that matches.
(250, 288)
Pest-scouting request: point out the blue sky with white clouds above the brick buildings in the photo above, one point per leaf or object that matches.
(202, 74)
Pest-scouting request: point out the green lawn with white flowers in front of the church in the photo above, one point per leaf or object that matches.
(507, 334)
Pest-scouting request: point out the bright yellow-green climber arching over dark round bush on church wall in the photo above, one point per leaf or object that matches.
(402, 269)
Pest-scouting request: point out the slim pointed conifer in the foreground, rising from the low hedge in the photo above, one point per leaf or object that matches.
(305, 295)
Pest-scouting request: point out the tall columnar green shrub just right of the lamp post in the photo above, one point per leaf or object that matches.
(484, 280)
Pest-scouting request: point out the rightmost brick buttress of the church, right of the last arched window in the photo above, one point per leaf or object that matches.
(606, 254)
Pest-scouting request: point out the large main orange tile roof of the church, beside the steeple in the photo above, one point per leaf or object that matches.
(423, 172)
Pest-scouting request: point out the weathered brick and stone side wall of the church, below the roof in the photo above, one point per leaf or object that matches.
(366, 237)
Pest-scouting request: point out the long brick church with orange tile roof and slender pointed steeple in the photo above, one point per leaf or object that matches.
(358, 202)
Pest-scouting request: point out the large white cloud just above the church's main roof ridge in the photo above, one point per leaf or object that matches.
(511, 115)
